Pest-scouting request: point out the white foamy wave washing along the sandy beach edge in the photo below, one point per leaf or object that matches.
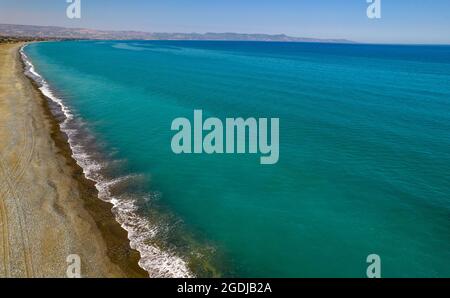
(157, 262)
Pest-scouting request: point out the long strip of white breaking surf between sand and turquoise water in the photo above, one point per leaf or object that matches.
(157, 262)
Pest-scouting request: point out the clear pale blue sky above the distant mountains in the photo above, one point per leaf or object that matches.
(403, 21)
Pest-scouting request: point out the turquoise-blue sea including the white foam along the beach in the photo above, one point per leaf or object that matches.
(364, 162)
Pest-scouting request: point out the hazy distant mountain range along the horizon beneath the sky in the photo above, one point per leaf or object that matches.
(51, 32)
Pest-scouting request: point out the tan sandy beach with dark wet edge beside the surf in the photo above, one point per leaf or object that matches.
(48, 210)
